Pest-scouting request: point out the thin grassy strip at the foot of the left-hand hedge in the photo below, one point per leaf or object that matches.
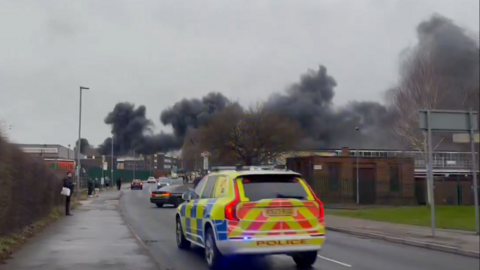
(13, 242)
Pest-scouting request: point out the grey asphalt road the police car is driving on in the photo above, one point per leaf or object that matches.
(156, 228)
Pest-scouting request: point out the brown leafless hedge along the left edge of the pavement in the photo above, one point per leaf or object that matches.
(29, 191)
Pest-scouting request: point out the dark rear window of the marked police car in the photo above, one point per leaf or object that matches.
(259, 187)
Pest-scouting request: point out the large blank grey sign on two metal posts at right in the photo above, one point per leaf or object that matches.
(454, 122)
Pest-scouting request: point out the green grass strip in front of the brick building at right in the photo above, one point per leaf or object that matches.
(446, 217)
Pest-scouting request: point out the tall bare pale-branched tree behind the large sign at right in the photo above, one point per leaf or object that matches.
(424, 84)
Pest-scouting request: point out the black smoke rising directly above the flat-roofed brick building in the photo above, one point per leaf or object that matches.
(310, 103)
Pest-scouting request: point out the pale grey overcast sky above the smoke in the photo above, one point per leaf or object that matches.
(156, 52)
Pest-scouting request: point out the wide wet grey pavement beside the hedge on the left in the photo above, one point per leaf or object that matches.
(95, 237)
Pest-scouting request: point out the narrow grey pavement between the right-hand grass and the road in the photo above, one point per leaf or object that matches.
(460, 242)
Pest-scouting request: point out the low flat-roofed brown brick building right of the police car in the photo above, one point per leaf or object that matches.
(381, 180)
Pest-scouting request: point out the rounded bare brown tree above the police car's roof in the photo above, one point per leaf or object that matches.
(254, 136)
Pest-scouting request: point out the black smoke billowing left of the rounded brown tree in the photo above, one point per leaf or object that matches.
(133, 131)
